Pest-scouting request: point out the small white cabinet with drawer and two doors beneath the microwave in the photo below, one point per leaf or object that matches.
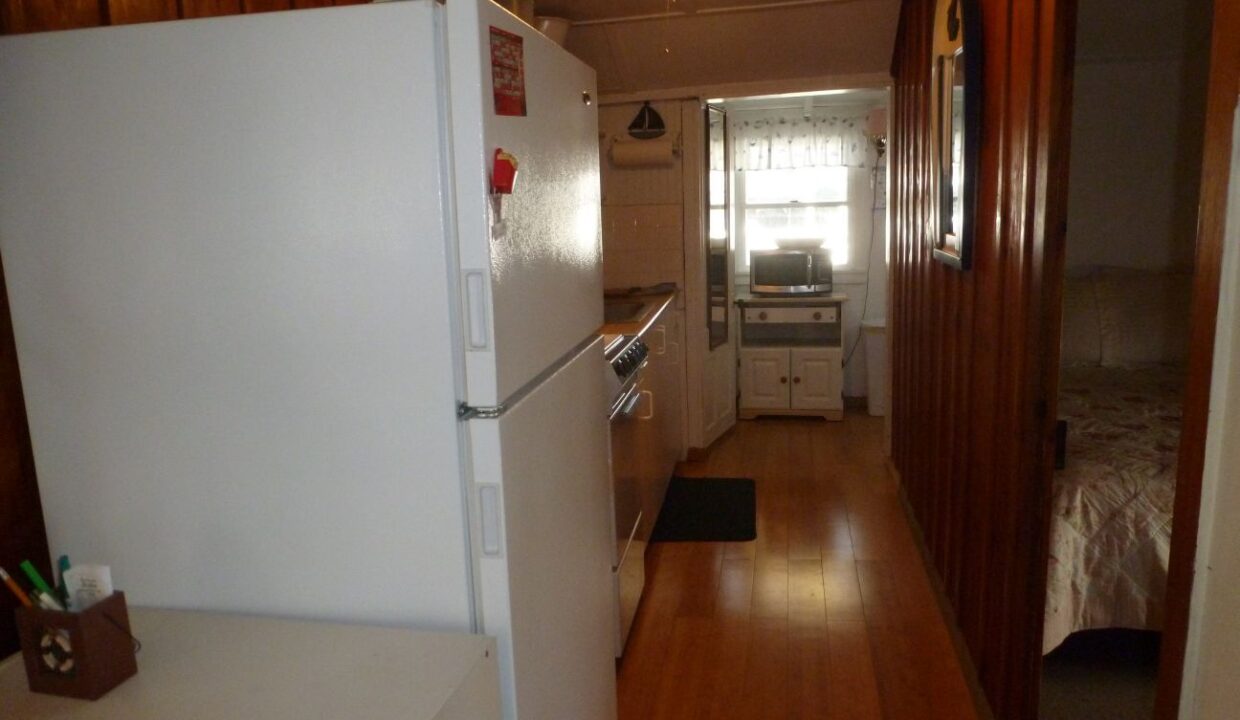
(792, 358)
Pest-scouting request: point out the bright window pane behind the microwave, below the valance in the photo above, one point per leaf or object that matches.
(804, 203)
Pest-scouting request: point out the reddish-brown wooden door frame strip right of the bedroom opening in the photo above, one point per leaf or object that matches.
(1224, 87)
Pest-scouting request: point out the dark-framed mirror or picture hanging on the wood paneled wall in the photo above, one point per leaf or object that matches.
(957, 84)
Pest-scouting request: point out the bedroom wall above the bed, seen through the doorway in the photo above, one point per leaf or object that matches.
(1138, 118)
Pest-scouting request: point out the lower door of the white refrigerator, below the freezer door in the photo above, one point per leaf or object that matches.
(547, 588)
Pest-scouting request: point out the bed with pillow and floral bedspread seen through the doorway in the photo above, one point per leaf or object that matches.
(1120, 396)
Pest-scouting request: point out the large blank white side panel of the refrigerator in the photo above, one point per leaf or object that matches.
(229, 276)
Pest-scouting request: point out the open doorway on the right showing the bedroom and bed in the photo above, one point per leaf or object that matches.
(1136, 162)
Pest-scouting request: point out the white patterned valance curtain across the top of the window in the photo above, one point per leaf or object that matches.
(787, 139)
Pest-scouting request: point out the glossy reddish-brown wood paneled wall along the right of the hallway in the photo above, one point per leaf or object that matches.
(974, 374)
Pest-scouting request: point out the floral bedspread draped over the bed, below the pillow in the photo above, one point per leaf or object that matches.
(1110, 526)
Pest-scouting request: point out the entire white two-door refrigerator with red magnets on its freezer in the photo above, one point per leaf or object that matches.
(282, 349)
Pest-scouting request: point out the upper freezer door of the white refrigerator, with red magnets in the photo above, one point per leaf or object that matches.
(533, 260)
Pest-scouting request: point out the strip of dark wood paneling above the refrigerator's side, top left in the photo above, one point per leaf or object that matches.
(42, 15)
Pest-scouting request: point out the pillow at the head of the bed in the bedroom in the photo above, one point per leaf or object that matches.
(1144, 317)
